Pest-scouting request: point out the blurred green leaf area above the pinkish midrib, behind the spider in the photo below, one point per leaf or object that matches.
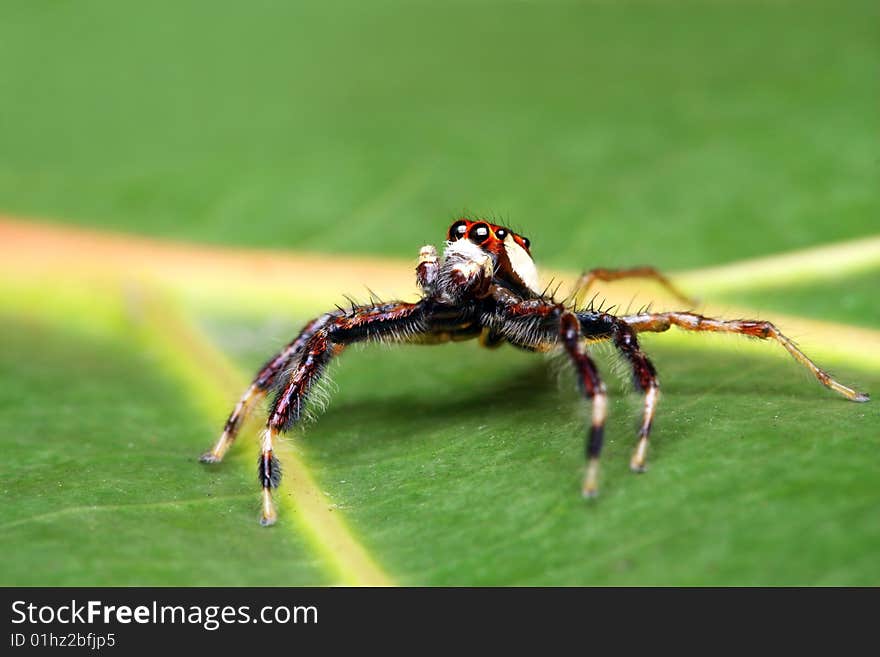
(679, 133)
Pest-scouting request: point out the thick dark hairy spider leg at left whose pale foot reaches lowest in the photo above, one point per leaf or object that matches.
(389, 322)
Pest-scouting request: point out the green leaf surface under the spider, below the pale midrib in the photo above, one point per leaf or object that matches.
(454, 465)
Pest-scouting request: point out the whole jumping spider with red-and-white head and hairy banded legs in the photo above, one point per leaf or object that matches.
(484, 287)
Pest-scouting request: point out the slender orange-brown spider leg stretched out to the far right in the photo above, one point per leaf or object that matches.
(659, 322)
